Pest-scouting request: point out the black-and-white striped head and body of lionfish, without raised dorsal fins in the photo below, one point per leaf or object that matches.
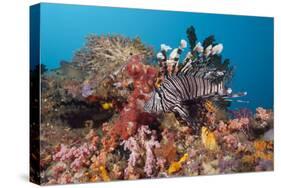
(175, 92)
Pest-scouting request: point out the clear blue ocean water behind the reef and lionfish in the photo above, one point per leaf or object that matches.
(248, 41)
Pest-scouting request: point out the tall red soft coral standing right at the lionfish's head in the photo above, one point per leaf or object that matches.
(131, 116)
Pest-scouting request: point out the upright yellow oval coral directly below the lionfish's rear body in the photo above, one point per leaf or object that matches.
(208, 139)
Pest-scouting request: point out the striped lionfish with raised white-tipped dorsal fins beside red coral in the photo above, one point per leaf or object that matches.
(201, 75)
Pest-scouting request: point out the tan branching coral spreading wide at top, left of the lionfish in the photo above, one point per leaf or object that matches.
(113, 51)
